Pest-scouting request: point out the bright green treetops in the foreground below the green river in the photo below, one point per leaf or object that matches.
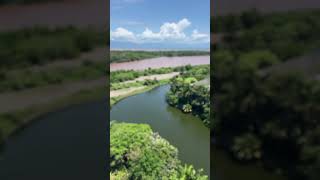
(136, 152)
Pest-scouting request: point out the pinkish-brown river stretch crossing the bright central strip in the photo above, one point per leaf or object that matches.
(160, 62)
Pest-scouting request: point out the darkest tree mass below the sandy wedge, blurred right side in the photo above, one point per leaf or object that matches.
(273, 117)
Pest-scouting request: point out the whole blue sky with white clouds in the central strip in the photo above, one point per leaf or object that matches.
(160, 24)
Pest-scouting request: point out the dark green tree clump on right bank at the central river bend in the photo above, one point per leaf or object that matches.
(185, 95)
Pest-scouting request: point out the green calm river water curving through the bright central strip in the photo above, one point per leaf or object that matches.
(185, 132)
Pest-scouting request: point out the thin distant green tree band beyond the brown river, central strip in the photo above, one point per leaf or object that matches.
(123, 56)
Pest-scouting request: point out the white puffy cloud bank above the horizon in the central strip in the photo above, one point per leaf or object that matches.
(169, 31)
